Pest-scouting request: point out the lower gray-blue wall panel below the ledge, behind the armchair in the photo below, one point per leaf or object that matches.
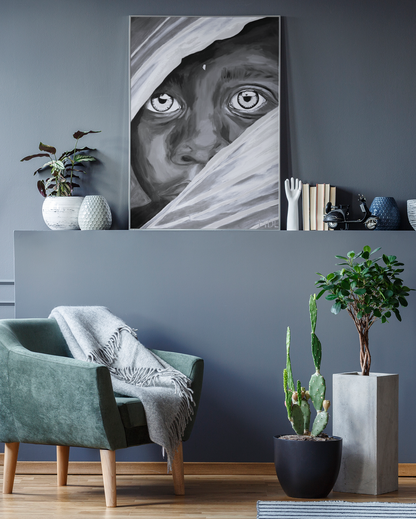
(227, 297)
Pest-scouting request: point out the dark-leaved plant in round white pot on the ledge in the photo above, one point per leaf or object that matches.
(60, 208)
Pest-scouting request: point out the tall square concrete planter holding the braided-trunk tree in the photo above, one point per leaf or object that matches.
(365, 415)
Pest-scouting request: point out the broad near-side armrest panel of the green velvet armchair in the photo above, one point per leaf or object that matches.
(61, 401)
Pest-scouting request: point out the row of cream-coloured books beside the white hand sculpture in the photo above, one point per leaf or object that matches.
(314, 200)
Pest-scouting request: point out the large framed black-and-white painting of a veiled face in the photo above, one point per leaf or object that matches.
(205, 122)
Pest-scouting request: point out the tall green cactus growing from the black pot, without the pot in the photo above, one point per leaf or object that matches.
(296, 397)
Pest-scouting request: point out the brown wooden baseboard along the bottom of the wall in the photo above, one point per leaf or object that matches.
(159, 468)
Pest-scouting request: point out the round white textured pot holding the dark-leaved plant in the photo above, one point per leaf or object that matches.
(60, 213)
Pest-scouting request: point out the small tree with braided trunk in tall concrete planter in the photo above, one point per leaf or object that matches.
(370, 291)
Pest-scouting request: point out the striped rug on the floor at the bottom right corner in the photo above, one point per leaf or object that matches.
(333, 510)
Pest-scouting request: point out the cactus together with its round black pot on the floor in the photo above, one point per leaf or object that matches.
(307, 463)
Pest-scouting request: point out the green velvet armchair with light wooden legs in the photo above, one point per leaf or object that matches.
(47, 397)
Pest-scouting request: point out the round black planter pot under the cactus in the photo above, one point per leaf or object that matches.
(307, 469)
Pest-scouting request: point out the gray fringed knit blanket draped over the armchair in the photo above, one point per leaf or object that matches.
(94, 334)
